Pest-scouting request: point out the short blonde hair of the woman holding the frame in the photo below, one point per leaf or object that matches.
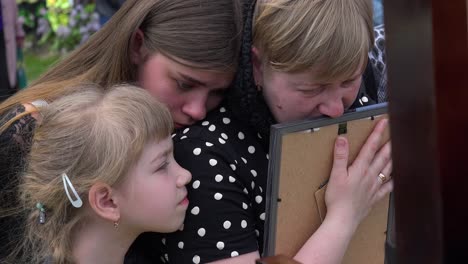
(333, 35)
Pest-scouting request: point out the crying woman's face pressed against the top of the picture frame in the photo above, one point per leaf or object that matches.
(297, 96)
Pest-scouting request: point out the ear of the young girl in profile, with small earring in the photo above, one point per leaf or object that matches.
(103, 203)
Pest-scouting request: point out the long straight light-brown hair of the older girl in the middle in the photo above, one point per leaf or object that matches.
(204, 33)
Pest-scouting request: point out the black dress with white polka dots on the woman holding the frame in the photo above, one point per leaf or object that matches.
(226, 214)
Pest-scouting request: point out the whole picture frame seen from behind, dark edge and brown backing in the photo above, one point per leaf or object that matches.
(304, 149)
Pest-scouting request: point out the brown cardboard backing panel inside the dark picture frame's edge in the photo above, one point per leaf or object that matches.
(305, 165)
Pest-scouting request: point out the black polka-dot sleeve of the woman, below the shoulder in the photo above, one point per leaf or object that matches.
(220, 221)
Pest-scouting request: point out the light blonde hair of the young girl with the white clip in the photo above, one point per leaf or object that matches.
(92, 135)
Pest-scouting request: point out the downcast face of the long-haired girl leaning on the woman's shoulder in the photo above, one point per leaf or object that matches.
(188, 93)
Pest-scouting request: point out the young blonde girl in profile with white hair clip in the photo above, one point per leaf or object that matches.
(100, 172)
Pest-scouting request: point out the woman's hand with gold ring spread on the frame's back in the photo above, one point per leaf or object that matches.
(353, 190)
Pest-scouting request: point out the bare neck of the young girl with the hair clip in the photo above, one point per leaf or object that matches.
(101, 242)
